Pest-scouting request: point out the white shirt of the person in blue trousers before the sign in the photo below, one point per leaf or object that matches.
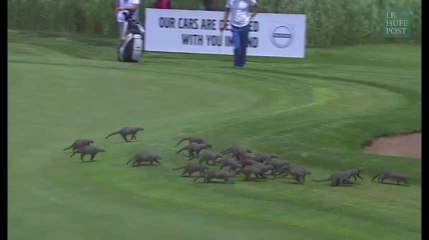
(240, 11)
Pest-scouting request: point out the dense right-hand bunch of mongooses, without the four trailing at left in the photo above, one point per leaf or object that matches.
(256, 164)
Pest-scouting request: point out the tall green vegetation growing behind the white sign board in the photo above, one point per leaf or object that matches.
(329, 22)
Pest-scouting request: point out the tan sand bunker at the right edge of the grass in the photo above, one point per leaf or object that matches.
(407, 145)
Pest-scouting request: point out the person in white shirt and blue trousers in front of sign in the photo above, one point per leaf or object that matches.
(242, 11)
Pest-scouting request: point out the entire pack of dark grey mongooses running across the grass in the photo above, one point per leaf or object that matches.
(242, 161)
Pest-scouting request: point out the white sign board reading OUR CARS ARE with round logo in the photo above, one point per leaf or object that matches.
(189, 31)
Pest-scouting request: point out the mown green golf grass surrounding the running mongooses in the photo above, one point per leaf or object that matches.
(314, 111)
